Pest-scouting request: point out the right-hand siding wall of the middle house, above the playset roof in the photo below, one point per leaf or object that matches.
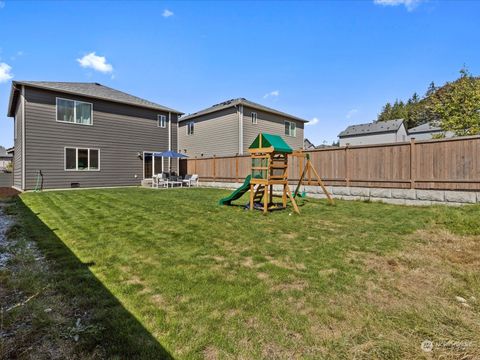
(271, 124)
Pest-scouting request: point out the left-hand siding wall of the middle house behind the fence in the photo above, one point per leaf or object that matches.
(215, 134)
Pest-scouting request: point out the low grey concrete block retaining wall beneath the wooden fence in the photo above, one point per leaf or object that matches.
(390, 196)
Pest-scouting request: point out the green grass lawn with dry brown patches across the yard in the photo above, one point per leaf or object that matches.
(172, 272)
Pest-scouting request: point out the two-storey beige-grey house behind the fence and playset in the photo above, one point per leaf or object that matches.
(230, 127)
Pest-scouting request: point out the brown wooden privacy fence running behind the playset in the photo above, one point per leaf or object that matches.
(446, 164)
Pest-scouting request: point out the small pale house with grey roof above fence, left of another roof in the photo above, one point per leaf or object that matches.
(379, 132)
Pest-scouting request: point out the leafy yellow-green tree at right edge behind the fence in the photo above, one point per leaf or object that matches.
(457, 105)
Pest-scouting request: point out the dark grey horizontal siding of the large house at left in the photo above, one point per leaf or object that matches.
(120, 131)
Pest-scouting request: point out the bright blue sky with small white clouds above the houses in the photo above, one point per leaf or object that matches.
(337, 62)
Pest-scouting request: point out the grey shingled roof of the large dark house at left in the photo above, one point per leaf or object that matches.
(93, 90)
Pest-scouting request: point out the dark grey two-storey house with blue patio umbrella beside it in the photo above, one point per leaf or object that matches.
(86, 135)
